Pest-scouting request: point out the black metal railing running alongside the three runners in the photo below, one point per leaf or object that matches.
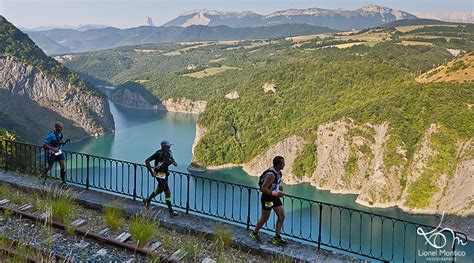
(372, 236)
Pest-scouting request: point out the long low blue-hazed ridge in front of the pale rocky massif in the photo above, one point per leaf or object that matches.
(61, 41)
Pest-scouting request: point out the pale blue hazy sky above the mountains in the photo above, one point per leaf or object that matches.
(120, 13)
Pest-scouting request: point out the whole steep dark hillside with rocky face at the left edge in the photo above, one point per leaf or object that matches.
(37, 90)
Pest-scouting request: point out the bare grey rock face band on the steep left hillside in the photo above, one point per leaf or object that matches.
(87, 108)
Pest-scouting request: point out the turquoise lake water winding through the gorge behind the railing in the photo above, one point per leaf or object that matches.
(139, 132)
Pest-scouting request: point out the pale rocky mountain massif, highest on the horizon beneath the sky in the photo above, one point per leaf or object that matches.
(365, 17)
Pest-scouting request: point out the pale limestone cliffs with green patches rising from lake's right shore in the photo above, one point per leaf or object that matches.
(359, 159)
